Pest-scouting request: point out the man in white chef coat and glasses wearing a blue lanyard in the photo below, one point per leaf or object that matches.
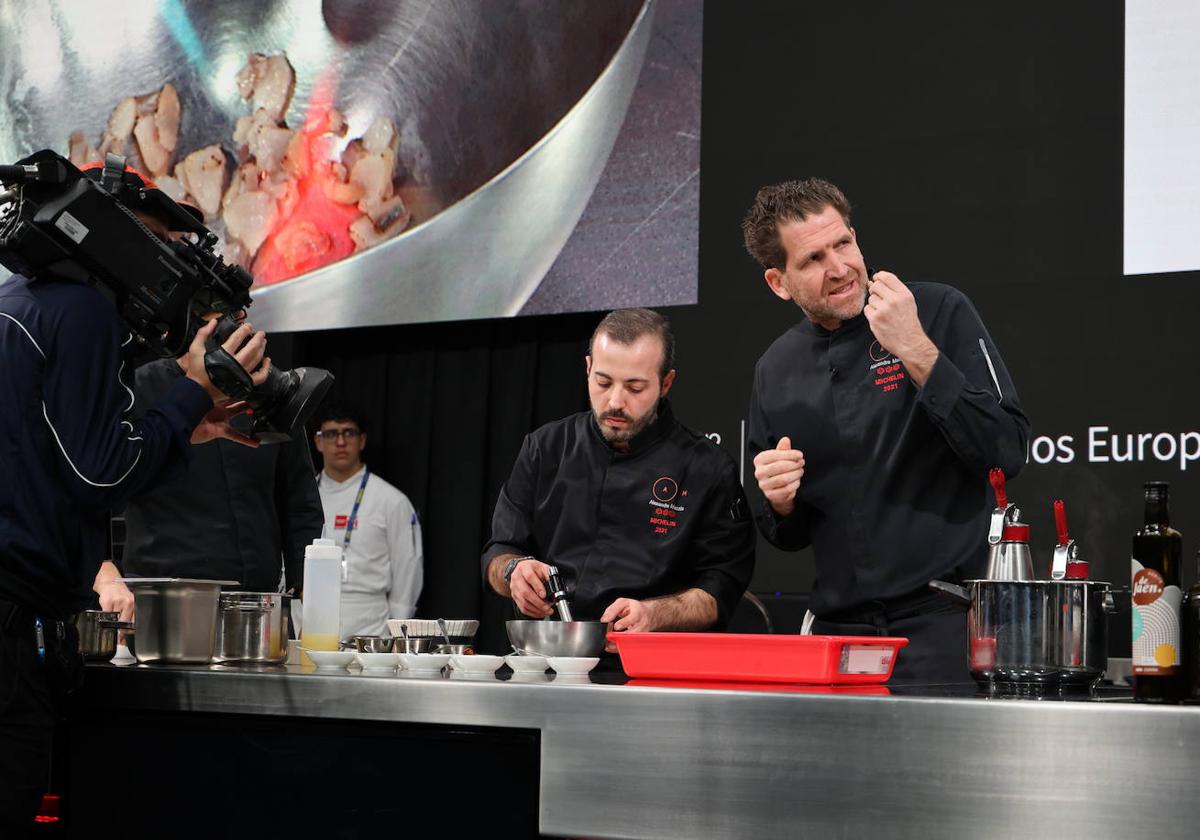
(374, 523)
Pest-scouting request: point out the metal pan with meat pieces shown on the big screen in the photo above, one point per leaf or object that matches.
(369, 163)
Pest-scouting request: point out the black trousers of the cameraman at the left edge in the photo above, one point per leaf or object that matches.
(33, 688)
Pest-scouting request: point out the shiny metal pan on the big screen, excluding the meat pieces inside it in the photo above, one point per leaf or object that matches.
(507, 113)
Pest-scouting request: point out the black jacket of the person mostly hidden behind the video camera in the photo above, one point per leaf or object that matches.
(236, 513)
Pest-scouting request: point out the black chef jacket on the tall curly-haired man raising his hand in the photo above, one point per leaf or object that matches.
(896, 485)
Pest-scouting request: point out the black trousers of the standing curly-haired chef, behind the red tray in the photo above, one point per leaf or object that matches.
(937, 631)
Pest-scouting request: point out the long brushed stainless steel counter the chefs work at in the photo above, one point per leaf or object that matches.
(635, 761)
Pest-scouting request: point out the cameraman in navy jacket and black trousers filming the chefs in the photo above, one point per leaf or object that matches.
(73, 452)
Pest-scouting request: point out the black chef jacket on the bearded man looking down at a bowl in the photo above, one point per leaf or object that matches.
(665, 517)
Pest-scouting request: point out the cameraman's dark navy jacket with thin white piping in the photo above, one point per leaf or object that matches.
(70, 447)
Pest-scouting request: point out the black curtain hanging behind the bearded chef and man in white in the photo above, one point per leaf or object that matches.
(447, 409)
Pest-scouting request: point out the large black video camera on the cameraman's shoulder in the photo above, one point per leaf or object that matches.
(56, 220)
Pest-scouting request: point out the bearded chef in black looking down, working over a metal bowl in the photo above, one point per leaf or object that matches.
(645, 519)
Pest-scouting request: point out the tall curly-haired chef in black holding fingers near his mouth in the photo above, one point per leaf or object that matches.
(873, 425)
